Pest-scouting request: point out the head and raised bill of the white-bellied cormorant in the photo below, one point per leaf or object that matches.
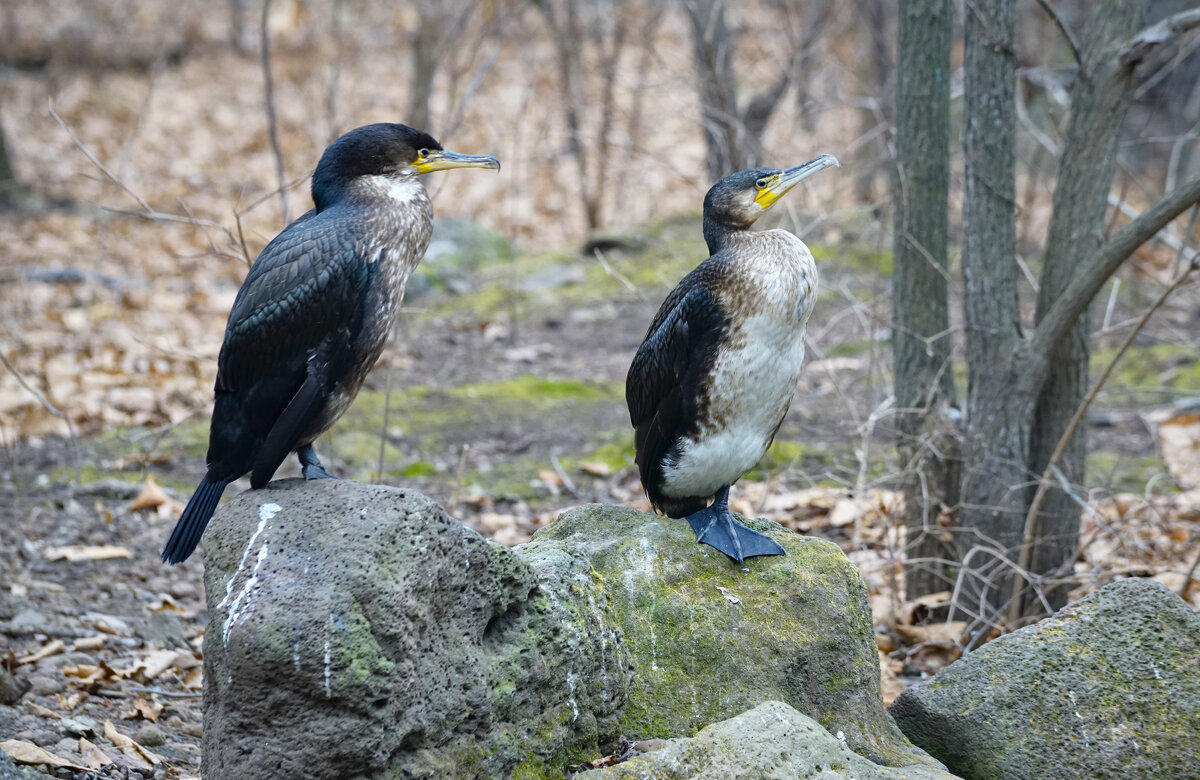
(735, 202)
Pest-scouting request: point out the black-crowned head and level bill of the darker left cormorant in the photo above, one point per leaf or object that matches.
(388, 151)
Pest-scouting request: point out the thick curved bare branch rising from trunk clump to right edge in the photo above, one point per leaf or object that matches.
(1091, 278)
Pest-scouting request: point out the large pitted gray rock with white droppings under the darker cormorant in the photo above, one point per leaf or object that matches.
(361, 632)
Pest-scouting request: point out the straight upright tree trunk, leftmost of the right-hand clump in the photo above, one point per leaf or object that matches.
(925, 386)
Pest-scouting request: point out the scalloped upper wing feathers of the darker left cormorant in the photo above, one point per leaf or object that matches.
(308, 283)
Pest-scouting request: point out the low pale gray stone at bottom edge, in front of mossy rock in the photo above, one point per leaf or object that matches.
(771, 742)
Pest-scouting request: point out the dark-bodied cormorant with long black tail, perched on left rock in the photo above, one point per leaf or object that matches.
(315, 311)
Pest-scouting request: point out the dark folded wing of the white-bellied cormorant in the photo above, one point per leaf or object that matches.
(659, 388)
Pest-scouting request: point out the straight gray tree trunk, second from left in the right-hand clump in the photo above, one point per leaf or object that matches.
(998, 423)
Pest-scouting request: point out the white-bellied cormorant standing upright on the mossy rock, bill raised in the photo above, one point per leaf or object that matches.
(713, 380)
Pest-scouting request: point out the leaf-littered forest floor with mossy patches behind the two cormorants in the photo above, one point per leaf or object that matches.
(502, 397)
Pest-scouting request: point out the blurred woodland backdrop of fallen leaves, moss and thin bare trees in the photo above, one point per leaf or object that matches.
(151, 151)
